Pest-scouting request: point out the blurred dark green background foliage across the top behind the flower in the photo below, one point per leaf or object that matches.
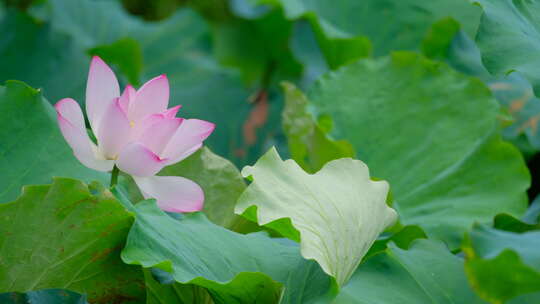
(226, 58)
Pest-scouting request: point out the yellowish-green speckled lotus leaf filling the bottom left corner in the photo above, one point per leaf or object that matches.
(67, 235)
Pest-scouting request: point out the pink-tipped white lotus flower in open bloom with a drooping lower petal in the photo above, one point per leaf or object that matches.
(136, 132)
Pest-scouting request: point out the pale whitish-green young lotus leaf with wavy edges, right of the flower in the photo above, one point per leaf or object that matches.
(338, 211)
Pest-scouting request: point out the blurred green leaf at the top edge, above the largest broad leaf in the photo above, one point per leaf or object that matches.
(388, 24)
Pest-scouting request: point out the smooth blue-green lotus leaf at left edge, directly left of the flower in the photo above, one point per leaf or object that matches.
(32, 148)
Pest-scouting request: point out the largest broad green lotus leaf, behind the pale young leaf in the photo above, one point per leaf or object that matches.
(431, 132)
